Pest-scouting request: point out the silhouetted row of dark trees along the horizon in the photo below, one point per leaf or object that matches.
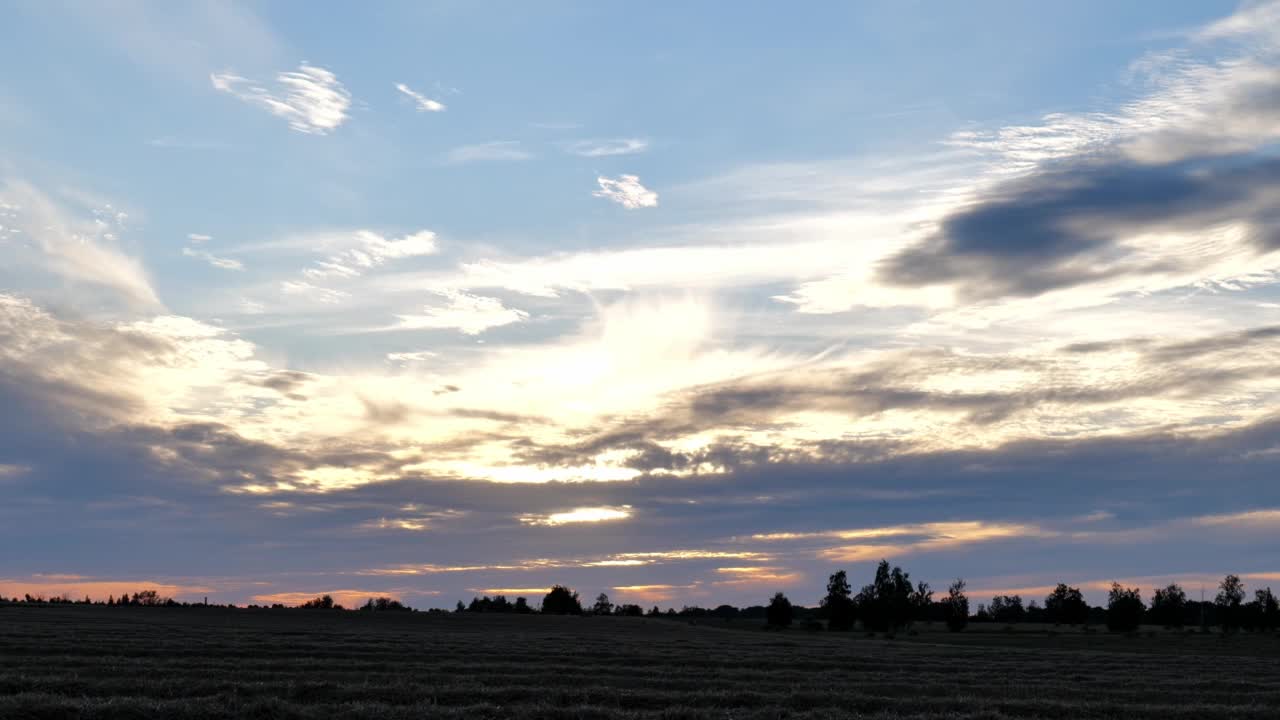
(889, 604)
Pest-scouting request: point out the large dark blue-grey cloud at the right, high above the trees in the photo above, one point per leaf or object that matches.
(1060, 226)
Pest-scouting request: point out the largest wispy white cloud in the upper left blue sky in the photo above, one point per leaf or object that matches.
(310, 99)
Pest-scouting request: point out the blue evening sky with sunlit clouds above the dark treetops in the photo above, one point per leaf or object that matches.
(679, 304)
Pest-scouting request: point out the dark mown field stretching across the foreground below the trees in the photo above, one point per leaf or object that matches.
(207, 663)
